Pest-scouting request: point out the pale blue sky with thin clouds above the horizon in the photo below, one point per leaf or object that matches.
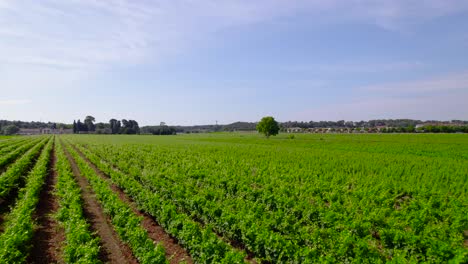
(195, 62)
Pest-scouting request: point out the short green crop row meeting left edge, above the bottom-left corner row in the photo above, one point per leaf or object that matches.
(11, 179)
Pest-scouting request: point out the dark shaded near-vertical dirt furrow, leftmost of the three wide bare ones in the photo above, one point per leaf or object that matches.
(49, 236)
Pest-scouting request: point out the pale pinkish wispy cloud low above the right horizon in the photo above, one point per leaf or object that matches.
(441, 97)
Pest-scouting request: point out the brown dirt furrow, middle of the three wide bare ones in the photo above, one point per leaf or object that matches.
(113, 250)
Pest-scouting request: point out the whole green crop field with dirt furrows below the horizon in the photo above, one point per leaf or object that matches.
(234, 198)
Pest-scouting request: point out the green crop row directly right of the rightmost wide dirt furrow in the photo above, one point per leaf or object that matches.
(203, 245)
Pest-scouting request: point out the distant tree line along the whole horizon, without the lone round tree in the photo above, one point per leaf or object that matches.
(124, 126)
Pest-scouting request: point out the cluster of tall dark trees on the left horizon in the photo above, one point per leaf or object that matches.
(114, 126)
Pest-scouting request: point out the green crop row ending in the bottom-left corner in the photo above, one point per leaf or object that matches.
(18, 229)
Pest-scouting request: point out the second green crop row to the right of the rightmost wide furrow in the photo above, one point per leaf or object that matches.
(239, 226)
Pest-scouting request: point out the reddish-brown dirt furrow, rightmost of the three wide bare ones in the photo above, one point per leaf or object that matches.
(174, 252)
